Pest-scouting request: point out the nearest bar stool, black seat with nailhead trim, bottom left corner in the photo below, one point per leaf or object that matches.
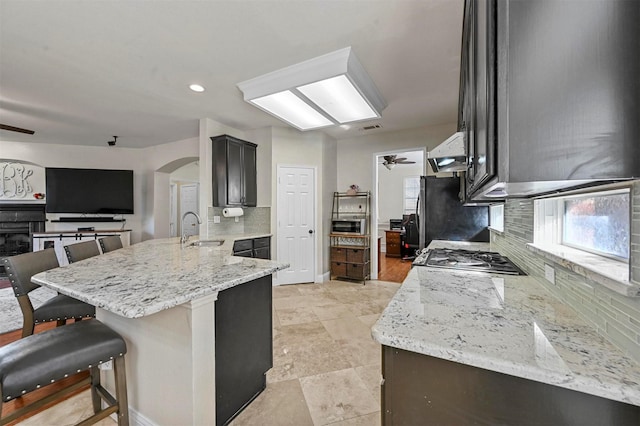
(44, 358)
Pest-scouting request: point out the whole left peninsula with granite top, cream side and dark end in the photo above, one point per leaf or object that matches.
(177, 308)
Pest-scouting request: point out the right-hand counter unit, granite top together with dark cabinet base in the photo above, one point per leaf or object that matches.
(466, 347)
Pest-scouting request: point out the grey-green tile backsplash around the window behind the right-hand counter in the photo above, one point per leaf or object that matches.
(614, 316)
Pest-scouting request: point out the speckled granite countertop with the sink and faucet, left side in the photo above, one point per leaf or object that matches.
(154, 275)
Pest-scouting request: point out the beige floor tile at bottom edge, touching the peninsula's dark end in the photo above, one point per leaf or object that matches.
(280, 404)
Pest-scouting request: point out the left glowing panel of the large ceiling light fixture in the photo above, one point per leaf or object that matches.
(290, 108)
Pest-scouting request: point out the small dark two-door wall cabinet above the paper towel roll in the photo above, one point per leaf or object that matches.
(234, 172)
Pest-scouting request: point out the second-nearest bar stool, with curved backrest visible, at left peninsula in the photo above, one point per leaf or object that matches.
(60, 308)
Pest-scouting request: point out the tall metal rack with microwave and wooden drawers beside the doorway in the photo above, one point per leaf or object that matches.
(350, 248)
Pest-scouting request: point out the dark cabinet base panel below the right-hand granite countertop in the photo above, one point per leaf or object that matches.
(423, 390)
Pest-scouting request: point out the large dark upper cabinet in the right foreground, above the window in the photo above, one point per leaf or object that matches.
(552, 96)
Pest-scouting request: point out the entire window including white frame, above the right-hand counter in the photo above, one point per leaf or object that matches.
(597, 222)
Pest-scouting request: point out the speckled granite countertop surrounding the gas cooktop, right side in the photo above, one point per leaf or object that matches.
(504, 323)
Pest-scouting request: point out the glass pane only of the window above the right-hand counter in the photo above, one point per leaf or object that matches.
(598, 224)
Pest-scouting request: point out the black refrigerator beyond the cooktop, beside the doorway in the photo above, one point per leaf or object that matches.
(442, 216)
